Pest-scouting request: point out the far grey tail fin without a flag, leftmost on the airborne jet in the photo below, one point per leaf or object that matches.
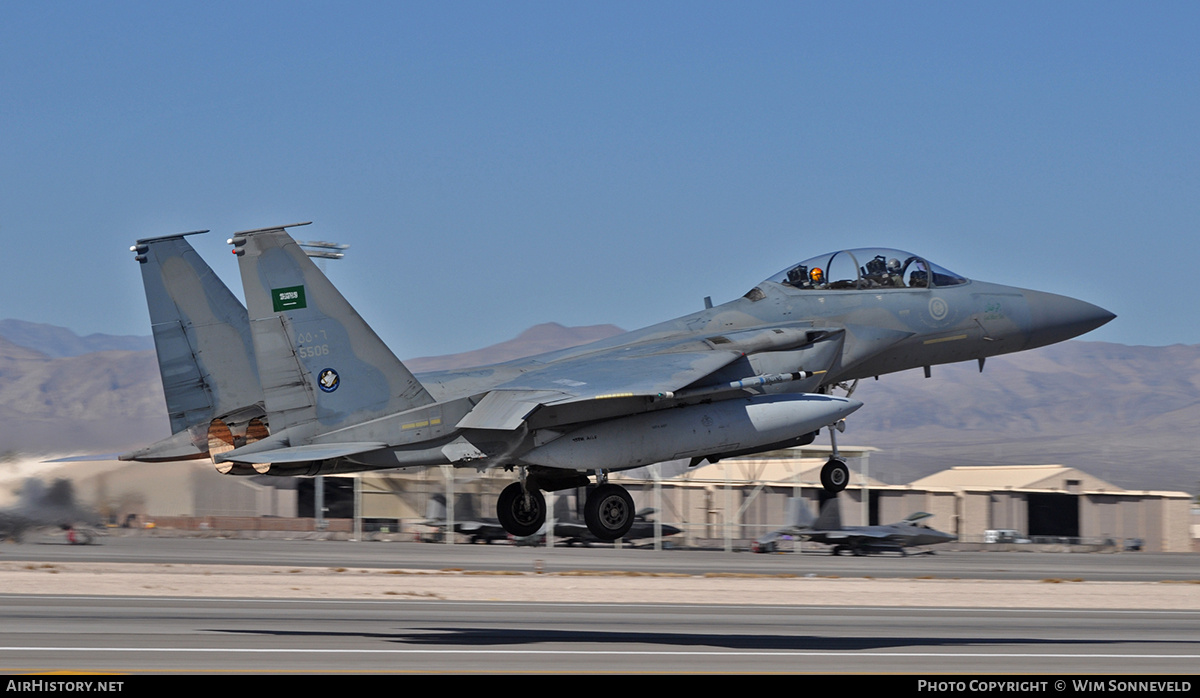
(205, 348)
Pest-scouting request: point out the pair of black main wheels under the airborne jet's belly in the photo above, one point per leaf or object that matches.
(609, 512)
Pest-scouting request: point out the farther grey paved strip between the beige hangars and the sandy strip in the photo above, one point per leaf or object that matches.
(1090, 567)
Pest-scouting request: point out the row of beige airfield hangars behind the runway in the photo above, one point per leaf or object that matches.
(725, 504)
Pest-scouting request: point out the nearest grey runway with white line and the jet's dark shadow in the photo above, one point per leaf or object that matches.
(199, 635)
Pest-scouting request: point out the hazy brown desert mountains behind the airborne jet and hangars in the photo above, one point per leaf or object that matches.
(1126, 414)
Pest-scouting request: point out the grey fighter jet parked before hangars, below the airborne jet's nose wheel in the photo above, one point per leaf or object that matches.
(857, 540)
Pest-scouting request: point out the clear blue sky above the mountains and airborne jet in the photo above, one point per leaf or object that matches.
(500, 165)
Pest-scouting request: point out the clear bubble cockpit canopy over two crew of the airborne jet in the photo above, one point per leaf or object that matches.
(867, 269)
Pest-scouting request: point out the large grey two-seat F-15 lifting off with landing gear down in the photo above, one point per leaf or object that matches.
(296, 383)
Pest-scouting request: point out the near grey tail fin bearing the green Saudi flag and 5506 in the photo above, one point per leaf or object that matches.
(320, 364)
